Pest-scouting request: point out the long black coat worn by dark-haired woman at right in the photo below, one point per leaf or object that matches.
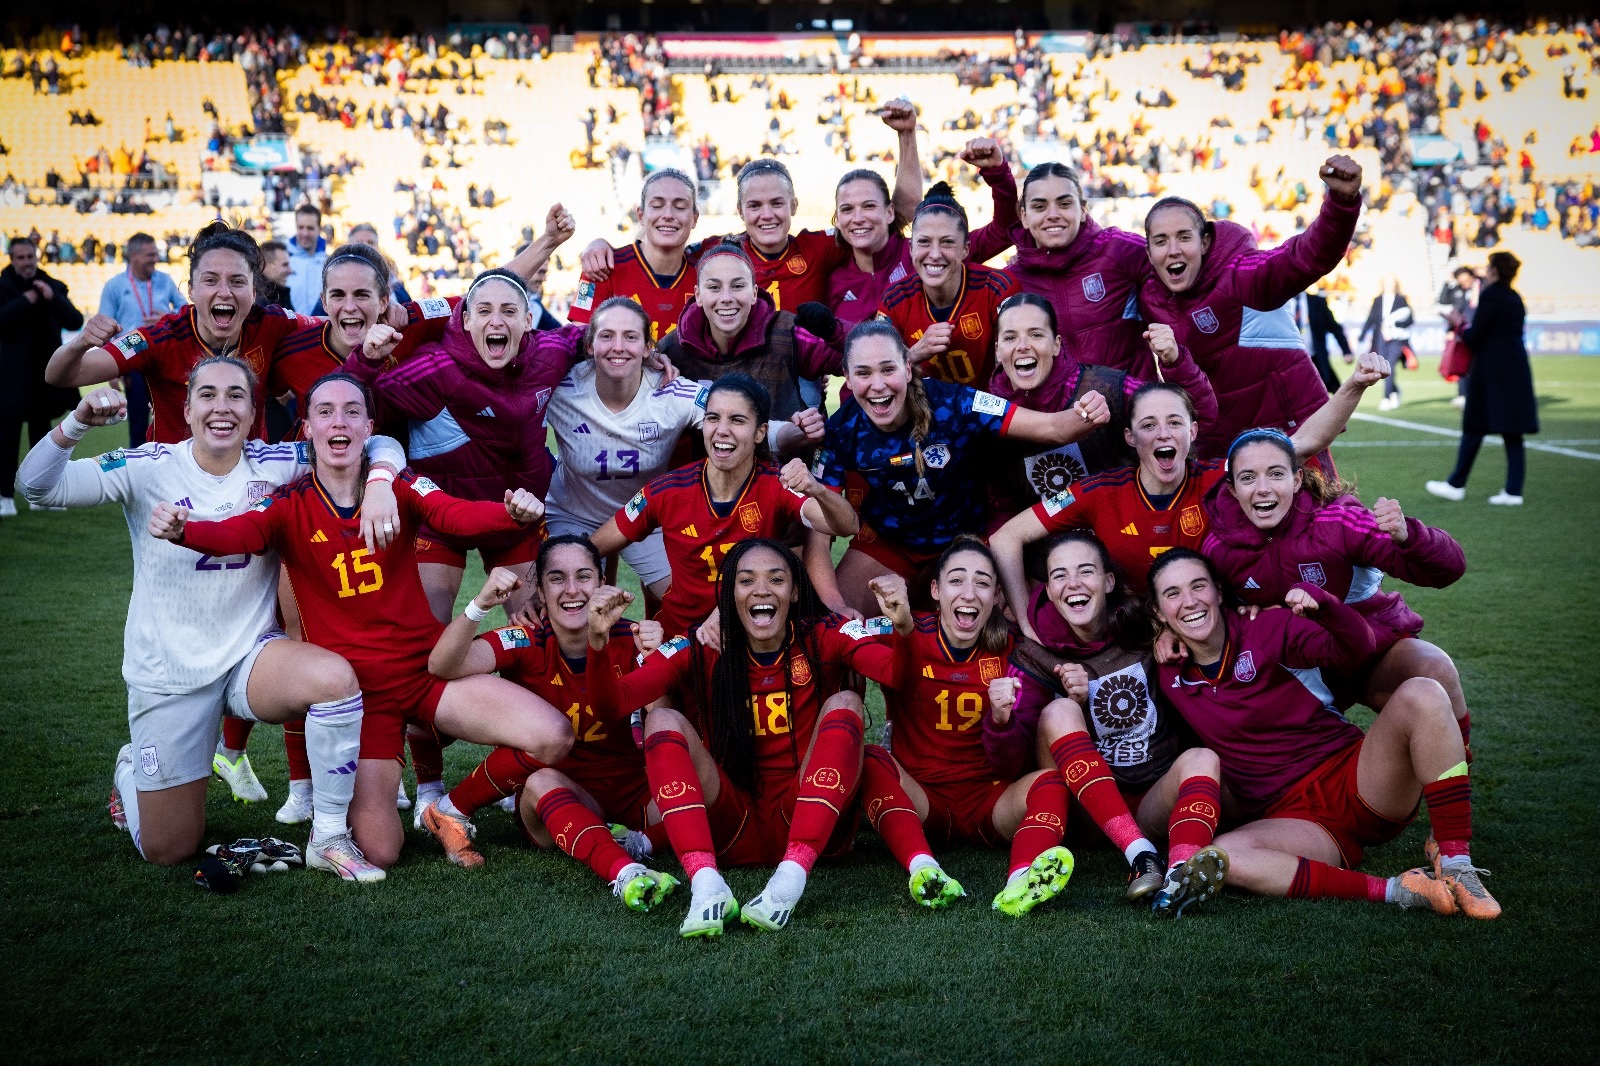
(1500, 385)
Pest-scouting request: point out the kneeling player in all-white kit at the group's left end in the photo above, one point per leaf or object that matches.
(202, 638)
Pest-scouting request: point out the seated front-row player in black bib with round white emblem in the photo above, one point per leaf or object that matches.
(1087, 703)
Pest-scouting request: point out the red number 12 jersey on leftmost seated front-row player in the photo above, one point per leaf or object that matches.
(534, 660)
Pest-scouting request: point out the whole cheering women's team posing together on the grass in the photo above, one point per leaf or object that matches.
(1100, 556)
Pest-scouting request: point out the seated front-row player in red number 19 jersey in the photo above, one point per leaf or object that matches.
(938, 779)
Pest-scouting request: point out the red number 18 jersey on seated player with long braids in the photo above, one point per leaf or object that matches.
(785, 705)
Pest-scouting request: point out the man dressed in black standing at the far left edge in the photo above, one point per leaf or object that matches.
(34, 310)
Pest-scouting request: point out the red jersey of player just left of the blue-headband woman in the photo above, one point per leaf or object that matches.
(1127, 521)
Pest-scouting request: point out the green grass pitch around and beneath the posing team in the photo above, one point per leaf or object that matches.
(111, 960)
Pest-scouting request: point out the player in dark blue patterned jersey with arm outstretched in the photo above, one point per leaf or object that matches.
(913, 441)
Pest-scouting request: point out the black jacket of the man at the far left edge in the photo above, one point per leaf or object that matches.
(30, 334)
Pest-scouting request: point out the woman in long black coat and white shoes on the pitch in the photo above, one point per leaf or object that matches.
(1500, 385)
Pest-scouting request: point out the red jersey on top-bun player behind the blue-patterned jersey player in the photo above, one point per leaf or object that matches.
(970, 359)
